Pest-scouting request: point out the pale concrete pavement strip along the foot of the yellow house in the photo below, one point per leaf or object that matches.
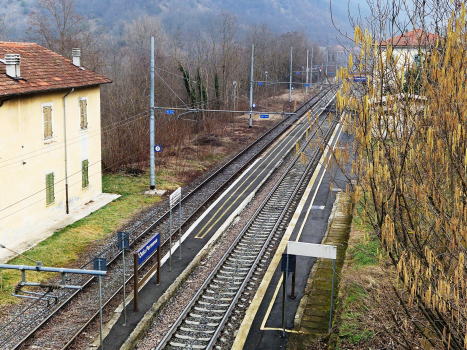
(46, 231)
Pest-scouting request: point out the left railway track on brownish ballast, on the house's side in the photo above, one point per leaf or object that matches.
(17, 332)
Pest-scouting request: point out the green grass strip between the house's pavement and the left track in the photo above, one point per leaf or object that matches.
(65, 246)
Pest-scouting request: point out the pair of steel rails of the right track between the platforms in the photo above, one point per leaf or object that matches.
(211, 276)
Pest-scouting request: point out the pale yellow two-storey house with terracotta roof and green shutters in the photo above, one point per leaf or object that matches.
(50, 138)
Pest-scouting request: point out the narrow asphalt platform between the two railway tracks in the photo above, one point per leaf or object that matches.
(198, 239)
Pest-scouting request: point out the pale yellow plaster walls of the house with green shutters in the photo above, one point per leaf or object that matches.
(26, 159)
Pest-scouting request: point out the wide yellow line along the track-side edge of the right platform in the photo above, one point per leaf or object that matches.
(259, 296)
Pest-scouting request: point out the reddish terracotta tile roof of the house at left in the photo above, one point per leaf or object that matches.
(43, 70)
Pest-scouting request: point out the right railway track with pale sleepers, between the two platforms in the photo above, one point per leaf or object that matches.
(201, 322)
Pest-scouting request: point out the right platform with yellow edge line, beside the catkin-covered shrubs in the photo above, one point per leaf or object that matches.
(262, 325)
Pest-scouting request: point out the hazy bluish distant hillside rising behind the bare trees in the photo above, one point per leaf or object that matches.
(311, 16)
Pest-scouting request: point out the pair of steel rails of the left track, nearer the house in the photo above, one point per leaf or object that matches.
(315, 99)
